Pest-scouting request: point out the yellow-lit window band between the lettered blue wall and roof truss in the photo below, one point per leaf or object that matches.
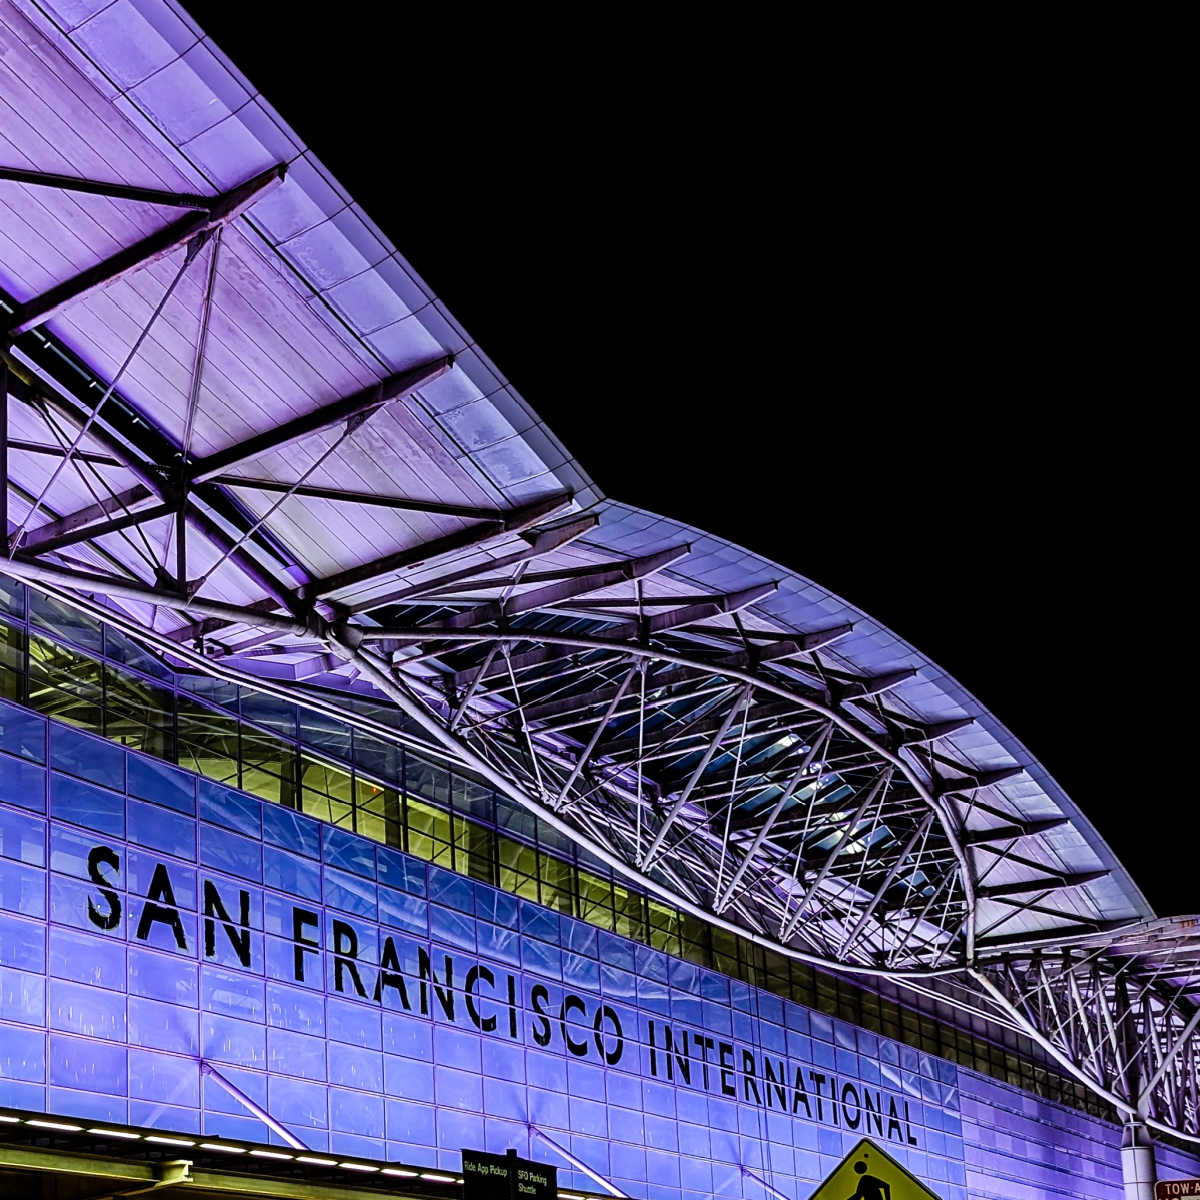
(59, 663)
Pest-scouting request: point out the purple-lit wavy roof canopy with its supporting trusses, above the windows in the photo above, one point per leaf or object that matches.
(241, 423)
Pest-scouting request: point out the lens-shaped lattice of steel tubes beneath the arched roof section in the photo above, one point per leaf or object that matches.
(717, 777)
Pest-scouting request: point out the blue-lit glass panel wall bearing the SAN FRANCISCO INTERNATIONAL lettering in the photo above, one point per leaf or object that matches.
(382, 1007)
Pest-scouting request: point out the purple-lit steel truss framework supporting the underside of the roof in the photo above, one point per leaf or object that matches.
(739, 769)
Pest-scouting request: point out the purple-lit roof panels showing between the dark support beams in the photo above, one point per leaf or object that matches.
(311, 303)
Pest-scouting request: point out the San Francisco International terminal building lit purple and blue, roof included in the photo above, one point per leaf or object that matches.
(374, 789)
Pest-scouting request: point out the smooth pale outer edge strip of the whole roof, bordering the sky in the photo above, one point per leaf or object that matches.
(524, 460)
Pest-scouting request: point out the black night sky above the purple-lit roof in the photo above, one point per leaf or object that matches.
(911, 337)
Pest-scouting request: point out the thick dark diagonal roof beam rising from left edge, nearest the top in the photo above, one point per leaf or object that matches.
(142, 254)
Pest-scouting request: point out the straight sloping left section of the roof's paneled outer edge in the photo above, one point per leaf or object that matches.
(248, 136)
